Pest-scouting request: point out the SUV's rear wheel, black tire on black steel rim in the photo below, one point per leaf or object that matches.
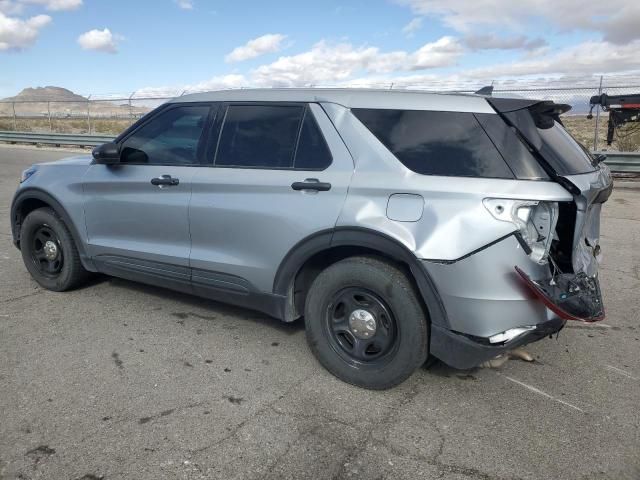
(398, 341)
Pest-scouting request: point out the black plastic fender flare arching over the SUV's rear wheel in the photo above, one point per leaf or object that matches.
(365, 238)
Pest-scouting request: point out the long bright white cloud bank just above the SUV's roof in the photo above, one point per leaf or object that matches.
(344, 64)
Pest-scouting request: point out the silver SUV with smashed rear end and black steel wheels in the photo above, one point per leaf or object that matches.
(398, 224)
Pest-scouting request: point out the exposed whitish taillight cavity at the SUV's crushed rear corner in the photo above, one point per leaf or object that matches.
(535, 221)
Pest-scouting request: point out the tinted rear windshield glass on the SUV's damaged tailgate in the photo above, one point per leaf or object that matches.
(558, 148)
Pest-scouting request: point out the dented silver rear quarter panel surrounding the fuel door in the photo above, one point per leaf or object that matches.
(454, 221)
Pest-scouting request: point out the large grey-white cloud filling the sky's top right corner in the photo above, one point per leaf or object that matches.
(566, 15)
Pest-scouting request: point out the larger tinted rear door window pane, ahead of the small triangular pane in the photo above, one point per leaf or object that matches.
(259, 136)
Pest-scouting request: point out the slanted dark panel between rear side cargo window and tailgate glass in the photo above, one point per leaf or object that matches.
(511, 147)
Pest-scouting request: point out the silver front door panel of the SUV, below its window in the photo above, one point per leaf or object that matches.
(127, 216)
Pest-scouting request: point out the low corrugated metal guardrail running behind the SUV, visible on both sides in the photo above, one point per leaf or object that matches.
(619, 162)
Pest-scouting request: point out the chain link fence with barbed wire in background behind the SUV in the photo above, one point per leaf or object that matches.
(110, 114)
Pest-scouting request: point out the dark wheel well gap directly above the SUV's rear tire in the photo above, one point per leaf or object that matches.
(321, 260)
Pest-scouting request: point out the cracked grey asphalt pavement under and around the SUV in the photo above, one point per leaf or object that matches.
(124, 381)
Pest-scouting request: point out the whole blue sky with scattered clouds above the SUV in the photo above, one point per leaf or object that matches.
(114, 46)
